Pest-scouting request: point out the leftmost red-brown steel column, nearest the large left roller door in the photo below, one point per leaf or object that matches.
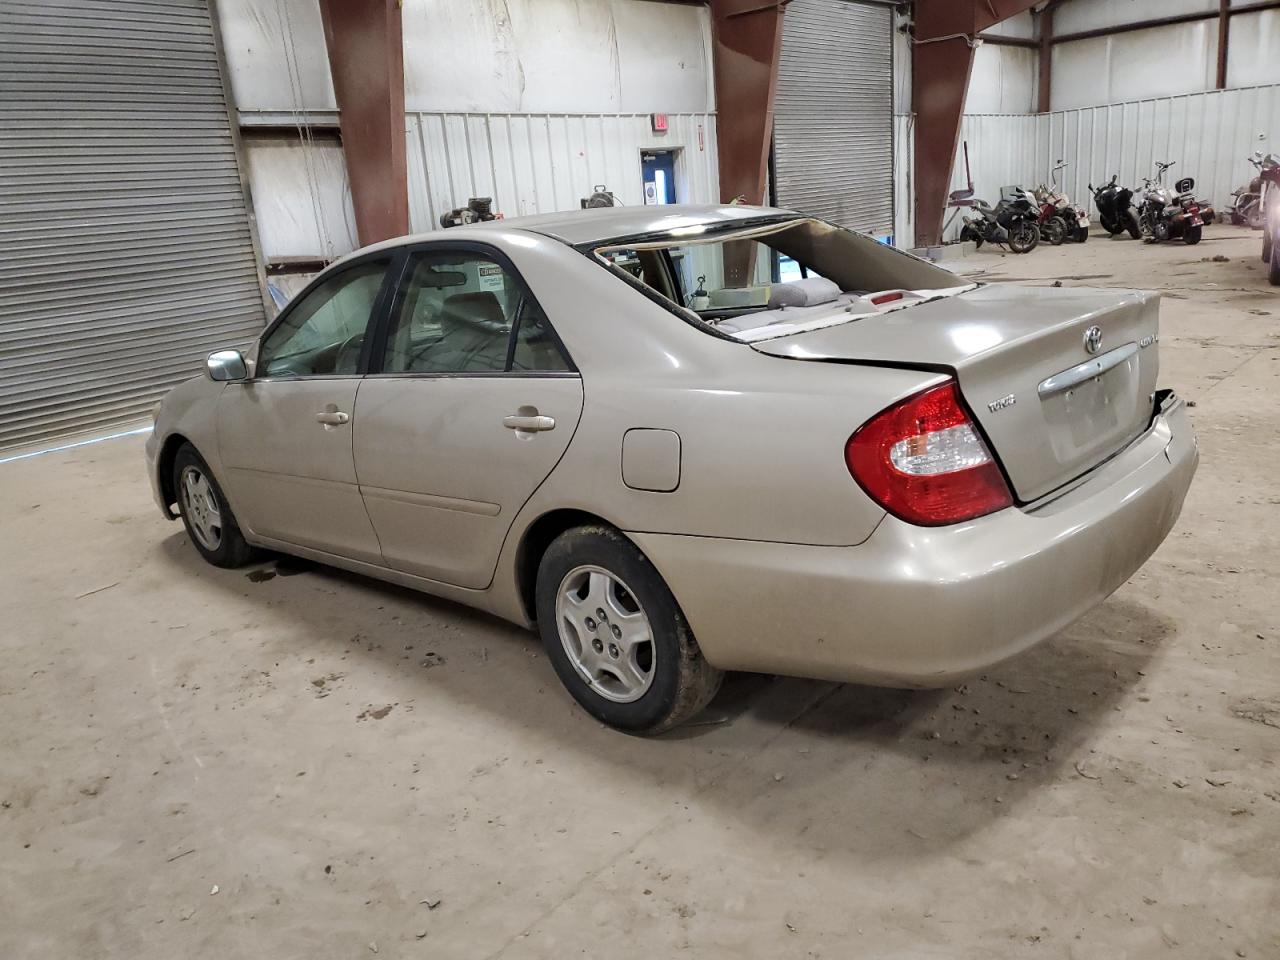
(367, 58)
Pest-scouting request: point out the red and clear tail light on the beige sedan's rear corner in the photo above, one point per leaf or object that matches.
(924, 461)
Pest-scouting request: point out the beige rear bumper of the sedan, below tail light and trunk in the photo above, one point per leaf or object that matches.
(926, 606)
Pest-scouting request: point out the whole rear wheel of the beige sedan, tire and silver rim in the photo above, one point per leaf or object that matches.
(616, 636)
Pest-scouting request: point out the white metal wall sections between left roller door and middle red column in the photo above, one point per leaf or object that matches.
(529, 102)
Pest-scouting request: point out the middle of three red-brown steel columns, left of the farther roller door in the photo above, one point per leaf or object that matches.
(747, 39)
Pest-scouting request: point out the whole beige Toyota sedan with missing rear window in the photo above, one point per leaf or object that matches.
(683, 441)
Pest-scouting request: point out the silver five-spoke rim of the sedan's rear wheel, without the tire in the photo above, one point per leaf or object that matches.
(606, 634)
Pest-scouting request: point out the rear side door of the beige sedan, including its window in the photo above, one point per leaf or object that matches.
(470, 406)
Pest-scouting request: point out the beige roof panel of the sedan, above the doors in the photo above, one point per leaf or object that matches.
(602, 225)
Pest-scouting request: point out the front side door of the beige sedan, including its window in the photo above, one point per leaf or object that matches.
(285, 436)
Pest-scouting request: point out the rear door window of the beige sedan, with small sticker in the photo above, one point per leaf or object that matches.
(456, 317)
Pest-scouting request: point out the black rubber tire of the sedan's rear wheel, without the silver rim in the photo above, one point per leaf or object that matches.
(683, 683)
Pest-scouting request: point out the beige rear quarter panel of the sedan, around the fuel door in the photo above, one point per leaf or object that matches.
(762, 438)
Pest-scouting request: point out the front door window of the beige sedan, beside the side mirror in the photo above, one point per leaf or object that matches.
(323, 333)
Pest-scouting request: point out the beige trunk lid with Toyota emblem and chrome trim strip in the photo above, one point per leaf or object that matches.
(1059, 380)
